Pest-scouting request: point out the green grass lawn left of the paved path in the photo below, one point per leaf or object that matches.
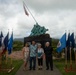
(16, 65)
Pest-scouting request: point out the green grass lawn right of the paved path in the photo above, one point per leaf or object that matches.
(60, 64)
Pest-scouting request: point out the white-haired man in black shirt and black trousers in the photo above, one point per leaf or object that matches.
(48, 55)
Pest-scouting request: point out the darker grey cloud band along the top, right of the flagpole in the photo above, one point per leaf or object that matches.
(43, 5)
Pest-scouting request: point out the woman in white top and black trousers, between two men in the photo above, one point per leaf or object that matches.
(40, 53)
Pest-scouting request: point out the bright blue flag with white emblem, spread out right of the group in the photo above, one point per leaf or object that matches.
(62, 43)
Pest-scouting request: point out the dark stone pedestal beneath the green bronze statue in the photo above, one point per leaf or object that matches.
(39, 39)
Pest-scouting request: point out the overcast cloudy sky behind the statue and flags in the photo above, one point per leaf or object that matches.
(56, 15)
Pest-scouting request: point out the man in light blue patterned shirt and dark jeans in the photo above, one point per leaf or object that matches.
(33, 52)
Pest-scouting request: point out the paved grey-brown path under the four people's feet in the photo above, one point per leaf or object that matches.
(38, 72)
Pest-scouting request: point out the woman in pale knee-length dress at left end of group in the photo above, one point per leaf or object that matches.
(25, 52)
